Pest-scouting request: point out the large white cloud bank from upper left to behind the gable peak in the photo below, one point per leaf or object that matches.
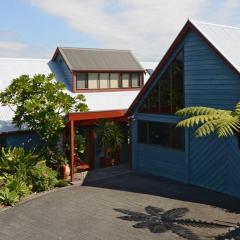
(147, 27)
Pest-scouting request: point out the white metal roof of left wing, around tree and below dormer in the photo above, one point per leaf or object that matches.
(11, 68)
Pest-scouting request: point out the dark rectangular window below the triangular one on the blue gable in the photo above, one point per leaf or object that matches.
(161, 134)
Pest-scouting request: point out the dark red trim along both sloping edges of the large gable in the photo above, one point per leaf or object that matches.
(166, 57)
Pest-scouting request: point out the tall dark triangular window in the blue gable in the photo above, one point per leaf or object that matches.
(167, 96)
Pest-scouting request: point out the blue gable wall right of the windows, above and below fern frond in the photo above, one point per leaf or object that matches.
(214, 163)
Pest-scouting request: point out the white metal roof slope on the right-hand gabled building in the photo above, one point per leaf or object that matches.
(225, 38)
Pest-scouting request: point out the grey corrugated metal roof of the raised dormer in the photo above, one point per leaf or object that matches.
(100, 59)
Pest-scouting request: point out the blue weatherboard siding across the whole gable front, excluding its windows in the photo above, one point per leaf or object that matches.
(207, 162)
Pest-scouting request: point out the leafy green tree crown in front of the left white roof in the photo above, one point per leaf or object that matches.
(41, 103)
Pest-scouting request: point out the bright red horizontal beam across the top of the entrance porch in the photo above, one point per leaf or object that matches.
(96, 115)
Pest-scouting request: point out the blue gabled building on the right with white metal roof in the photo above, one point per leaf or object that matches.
(201, 68)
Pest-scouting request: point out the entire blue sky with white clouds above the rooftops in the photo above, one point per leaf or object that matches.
(34, 28)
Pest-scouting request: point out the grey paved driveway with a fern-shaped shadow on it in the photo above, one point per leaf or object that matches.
(126, 207)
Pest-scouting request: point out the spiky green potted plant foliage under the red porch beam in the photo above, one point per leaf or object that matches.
(109, 135)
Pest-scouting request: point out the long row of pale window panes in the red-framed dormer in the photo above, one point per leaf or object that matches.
(107, 80)
